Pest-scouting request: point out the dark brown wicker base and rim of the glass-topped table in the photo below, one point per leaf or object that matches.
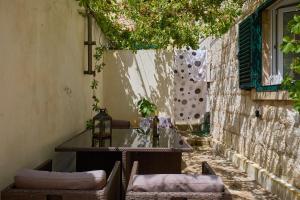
(152, 160)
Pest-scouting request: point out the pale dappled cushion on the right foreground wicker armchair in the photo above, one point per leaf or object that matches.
(177, 183)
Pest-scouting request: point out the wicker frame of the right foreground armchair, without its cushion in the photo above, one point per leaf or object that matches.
(206, 170)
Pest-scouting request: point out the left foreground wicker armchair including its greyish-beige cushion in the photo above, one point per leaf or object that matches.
(44, 184)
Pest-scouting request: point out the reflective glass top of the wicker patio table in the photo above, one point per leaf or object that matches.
(129, 140)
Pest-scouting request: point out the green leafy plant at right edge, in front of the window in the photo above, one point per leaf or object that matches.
(291, 45)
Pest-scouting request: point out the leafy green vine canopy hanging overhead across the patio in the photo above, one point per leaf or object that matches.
(135, 24)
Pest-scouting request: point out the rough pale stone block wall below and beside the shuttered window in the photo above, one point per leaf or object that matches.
(271, 141)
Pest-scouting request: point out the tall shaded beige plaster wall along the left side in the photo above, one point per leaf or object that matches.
(44, 97)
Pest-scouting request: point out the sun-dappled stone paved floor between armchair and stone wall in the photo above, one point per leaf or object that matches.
(240, 186)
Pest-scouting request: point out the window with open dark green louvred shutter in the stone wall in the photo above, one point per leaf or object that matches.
(262, 65)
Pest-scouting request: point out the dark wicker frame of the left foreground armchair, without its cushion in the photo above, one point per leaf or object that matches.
(111, 191)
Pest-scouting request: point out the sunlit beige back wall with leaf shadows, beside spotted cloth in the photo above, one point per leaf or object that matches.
(128, 77)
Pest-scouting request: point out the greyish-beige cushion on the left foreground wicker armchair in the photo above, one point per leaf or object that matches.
(34, 179)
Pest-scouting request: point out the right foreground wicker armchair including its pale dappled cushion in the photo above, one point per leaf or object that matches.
(206, 186)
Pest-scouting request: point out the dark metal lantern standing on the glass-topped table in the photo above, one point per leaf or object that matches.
(102, 128)
